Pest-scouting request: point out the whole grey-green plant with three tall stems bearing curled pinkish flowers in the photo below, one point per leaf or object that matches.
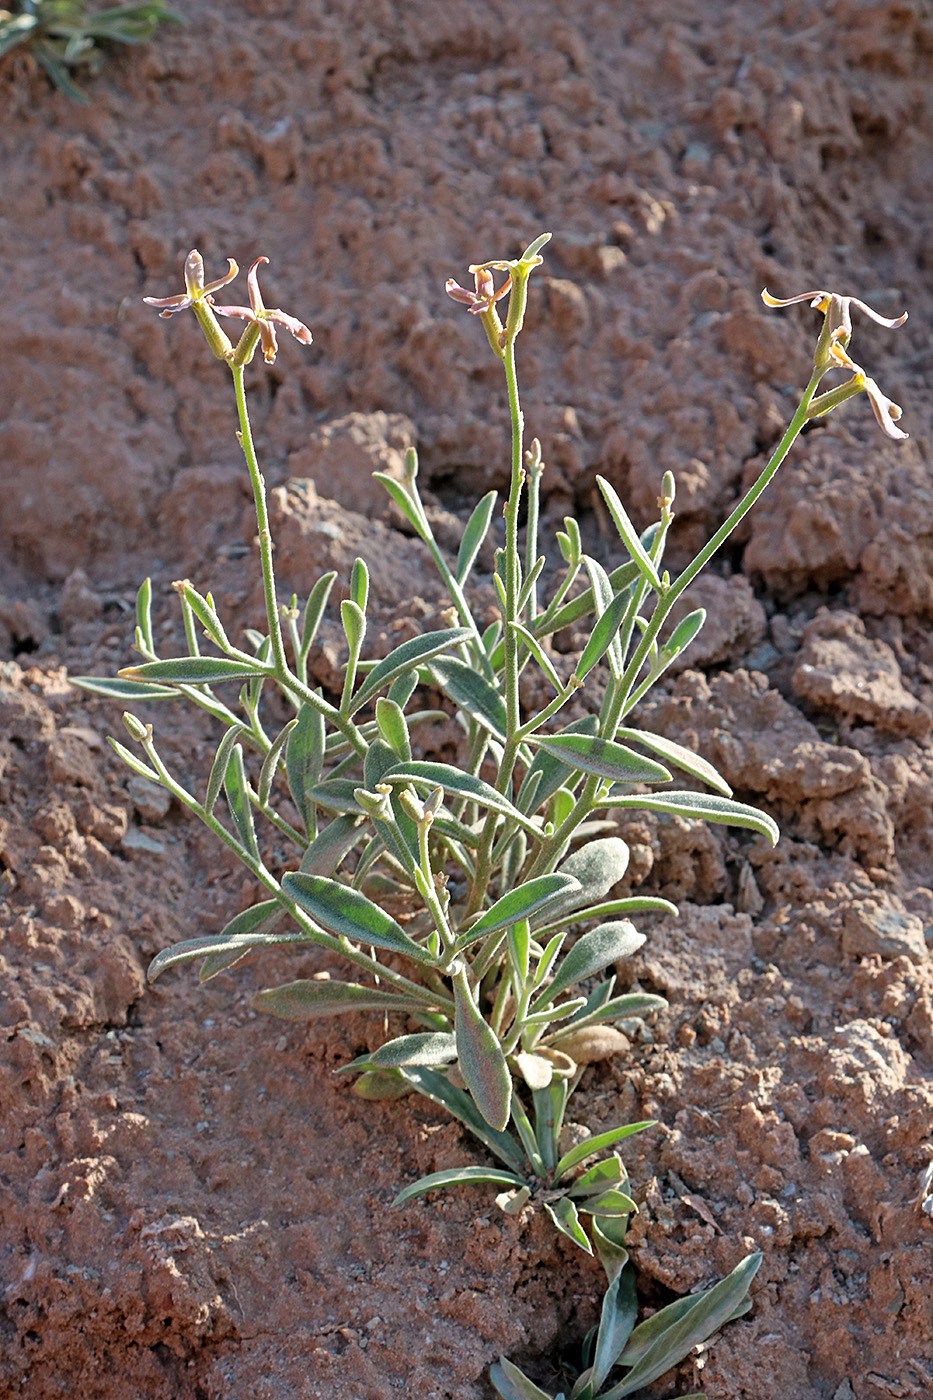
(497, 971)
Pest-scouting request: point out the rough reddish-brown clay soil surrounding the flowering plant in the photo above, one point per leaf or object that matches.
(191, 1205)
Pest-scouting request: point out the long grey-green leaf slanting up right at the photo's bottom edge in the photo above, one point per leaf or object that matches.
(670, 1335)
